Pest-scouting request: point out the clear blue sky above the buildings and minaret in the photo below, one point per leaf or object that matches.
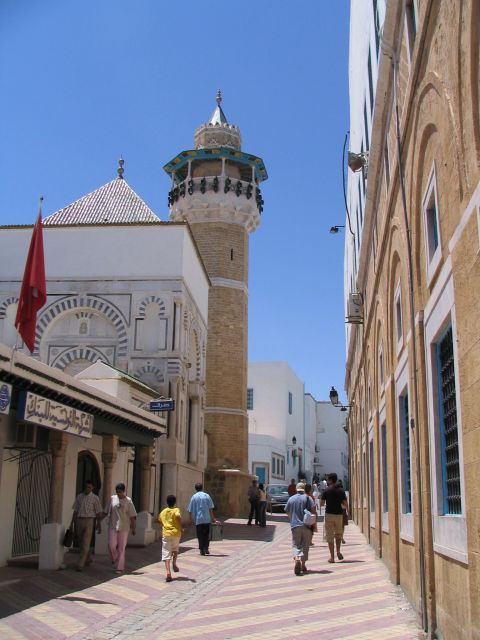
(83, 82)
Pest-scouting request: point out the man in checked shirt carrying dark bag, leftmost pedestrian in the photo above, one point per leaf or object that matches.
(86, 510)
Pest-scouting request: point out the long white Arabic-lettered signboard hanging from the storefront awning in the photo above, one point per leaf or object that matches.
(53, 415)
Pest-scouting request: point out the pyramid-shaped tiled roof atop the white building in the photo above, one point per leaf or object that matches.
(114, 203)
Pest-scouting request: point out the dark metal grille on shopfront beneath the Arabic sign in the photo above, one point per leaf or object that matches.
(31, 507)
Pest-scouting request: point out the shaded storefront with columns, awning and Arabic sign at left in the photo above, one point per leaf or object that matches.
(55, 433)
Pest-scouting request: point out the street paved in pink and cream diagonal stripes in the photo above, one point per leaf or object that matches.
(245, 589)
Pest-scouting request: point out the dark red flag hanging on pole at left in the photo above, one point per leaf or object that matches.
(33, 293)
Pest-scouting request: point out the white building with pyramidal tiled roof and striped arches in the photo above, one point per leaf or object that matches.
(131, 291)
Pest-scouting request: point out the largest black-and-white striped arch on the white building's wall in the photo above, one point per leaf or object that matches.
(97, 305)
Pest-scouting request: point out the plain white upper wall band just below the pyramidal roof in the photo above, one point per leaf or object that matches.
(164, 251)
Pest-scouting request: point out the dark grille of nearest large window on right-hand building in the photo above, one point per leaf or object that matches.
(449, 427)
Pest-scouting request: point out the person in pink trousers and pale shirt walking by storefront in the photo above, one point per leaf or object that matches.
(121, 518)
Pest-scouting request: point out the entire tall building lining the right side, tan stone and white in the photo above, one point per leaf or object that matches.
(412, 287)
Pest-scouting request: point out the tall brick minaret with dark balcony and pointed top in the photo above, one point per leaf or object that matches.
(215, 188)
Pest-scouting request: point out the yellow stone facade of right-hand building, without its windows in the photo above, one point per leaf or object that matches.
(438, 96)
